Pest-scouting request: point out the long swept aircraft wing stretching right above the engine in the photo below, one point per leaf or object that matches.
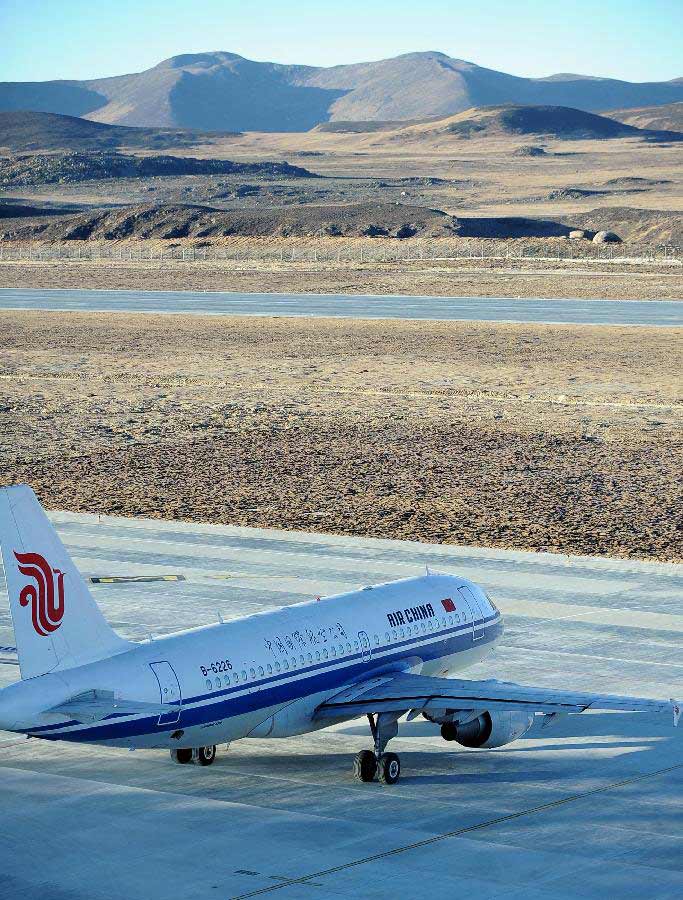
(402, 691)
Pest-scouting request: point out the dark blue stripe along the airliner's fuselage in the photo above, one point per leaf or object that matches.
(271, 691)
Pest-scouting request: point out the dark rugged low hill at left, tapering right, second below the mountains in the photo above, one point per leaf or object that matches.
(70, 168)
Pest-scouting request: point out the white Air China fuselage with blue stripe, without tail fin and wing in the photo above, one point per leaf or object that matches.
(265, 675)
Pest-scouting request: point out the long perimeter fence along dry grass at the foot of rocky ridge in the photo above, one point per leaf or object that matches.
(355, 252)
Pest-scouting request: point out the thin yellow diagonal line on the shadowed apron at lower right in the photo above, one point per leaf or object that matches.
(306, 879)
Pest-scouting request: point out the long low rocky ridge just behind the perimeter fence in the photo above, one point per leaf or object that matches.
(377, 220)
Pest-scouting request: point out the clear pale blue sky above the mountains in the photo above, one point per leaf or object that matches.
(638, 40)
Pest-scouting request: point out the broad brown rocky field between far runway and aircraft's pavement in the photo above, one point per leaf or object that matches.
(555, 438)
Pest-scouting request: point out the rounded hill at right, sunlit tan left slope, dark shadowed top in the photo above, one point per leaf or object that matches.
(552, 121)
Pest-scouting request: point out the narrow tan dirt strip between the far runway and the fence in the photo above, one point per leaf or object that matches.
(459, 278)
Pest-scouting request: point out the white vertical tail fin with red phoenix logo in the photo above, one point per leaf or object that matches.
(57, 624)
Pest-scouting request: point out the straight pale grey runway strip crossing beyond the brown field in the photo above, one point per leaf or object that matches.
(663, 313)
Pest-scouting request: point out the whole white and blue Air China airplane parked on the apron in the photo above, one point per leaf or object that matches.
(382, 652)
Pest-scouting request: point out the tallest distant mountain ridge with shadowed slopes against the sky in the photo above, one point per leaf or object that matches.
(222, 91)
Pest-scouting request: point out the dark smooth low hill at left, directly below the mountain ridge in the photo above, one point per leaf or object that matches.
(22, 130)
